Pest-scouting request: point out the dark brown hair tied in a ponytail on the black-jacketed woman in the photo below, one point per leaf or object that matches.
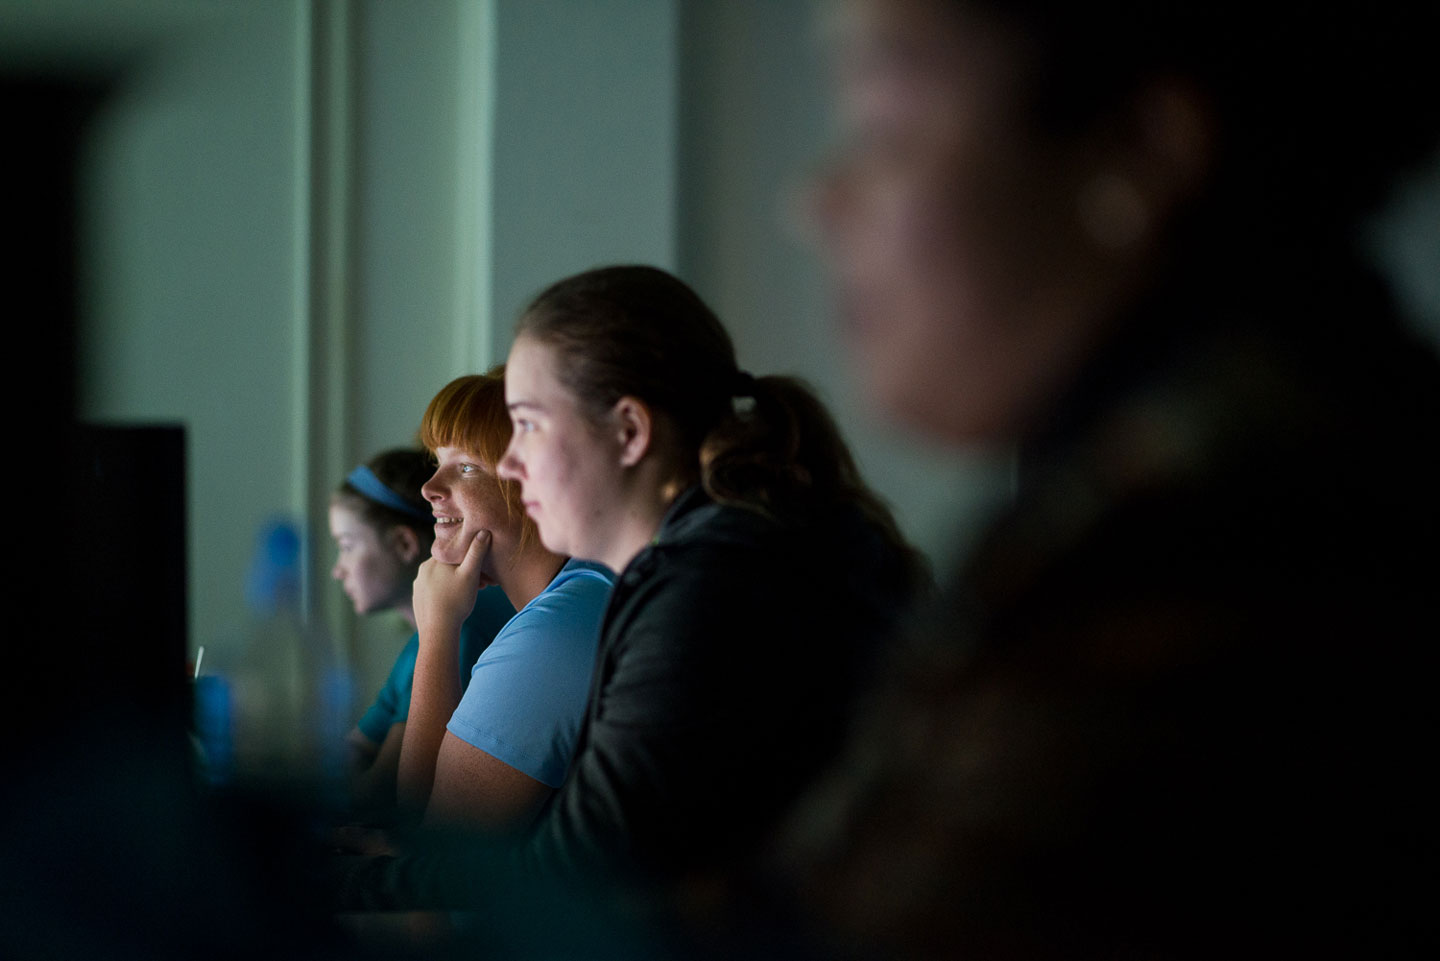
(761, 443)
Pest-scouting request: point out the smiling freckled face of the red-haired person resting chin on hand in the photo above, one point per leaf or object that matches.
(466, 499)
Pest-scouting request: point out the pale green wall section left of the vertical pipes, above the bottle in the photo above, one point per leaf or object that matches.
(195, 277)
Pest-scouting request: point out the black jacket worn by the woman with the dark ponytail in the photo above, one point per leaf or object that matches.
(731, 656)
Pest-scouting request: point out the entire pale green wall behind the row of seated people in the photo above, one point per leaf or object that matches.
(307, 215)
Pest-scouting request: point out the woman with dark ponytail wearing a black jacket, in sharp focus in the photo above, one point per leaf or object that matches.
(758, 573)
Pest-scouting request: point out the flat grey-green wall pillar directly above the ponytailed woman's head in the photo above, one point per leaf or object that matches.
(585, 143)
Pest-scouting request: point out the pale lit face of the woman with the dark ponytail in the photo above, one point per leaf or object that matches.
(568, 472)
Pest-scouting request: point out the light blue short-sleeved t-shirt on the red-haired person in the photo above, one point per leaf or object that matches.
(528, 691)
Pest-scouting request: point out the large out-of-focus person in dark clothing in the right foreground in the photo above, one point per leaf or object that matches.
(1179, 702)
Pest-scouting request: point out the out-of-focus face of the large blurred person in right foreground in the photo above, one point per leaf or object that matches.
(948, 224)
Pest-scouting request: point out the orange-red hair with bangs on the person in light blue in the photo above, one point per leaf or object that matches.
(470, 414)
